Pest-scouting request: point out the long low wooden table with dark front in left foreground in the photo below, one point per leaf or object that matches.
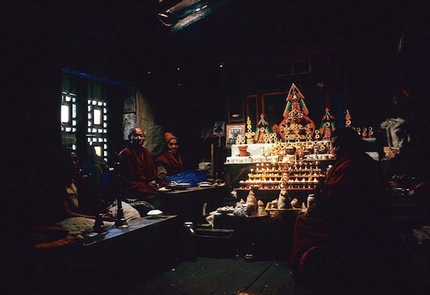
(108, 261)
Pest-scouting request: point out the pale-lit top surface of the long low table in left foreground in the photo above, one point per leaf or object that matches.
(134, 225)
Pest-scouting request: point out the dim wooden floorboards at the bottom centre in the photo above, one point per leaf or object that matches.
(220, 276)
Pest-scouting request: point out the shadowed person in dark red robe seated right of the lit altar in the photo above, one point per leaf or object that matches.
(344, 236)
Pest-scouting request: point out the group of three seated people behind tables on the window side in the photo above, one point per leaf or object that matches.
(141, 176)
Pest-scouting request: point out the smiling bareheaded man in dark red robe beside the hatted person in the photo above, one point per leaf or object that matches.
(137, 168)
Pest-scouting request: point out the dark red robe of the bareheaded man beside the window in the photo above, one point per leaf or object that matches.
(137, 170)
